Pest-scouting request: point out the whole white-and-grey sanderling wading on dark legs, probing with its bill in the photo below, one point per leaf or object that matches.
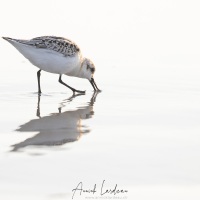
(56, 55)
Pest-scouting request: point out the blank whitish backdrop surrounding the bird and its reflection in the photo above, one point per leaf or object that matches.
(144, 134)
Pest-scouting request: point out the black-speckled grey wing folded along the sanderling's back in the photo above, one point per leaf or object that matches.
(58, 44)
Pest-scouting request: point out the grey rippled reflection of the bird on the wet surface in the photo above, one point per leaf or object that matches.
(58, 128)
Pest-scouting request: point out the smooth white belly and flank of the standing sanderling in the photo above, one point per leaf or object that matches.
(49, 60)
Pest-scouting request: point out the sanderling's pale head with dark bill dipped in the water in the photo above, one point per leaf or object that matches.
(88, 70)
